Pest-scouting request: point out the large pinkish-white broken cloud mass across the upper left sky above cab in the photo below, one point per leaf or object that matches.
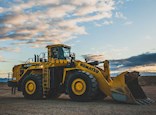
(50, 21)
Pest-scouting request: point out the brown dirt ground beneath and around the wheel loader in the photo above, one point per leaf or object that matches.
(17, 105)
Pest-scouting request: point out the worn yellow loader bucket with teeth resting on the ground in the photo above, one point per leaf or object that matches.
(125, 88)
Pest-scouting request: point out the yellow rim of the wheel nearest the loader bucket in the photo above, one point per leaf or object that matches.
(78, 86)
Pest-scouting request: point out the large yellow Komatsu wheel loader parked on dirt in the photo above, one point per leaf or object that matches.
(59, 72)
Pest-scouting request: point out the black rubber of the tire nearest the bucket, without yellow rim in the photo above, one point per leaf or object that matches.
(91, 86)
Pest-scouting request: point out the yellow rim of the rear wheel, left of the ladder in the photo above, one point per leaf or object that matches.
(30, 87)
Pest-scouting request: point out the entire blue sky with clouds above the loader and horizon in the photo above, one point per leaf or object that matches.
(122, 31)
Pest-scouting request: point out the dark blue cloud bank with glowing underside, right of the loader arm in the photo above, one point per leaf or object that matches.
(144, 63)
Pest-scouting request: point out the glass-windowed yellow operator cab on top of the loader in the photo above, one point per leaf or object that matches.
(58, 51)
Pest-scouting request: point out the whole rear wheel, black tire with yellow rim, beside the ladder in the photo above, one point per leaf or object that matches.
(32, 87)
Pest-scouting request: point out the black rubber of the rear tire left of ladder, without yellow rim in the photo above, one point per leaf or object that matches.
(38, 94)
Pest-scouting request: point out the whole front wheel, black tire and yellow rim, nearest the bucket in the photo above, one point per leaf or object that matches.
(85, 81)
